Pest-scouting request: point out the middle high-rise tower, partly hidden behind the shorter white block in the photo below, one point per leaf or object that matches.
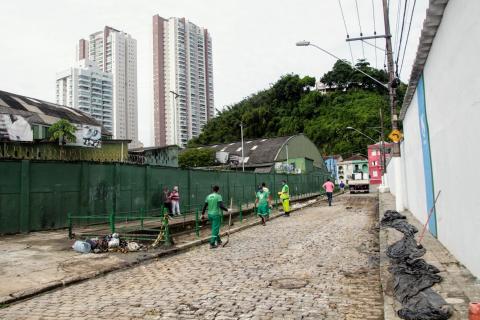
(115, 52)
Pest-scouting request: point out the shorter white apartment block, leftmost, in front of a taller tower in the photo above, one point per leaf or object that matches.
(89, 89)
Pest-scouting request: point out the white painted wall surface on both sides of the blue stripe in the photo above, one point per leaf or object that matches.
(452, 95)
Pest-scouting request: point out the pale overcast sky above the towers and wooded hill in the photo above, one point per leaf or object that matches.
(253, 40)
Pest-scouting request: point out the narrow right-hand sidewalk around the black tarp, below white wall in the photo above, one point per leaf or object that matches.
(459, 287)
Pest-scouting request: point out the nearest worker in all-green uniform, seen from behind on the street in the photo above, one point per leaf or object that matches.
(214, 204)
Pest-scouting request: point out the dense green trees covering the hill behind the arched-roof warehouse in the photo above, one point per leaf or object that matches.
(290, 106)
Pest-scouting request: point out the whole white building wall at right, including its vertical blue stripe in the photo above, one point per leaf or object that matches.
(440, 121)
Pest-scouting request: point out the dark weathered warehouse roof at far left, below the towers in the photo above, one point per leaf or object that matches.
(42, 112)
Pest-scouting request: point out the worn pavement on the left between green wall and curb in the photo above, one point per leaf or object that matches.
(41, 261)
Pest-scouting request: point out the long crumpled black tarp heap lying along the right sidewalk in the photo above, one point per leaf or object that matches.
(413, 276)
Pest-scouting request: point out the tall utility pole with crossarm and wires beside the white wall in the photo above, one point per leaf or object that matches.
(392, 82)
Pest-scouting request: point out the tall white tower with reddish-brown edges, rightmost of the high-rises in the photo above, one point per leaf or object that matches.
(182, 79)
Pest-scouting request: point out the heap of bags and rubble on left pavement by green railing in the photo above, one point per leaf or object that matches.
(105, 244)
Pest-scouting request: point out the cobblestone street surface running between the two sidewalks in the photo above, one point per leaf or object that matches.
(321, 263)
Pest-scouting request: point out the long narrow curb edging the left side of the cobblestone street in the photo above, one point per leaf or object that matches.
(26, 294)
